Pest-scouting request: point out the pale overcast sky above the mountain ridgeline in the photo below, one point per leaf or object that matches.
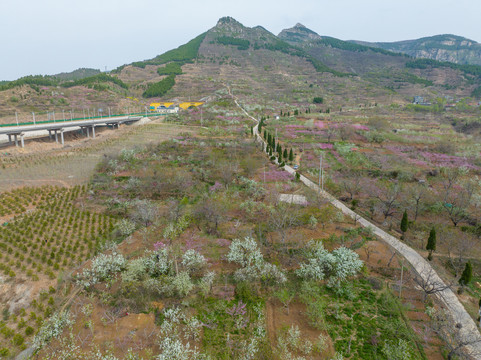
(52, 36)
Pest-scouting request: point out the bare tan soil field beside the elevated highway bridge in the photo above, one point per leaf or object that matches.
(42, 162)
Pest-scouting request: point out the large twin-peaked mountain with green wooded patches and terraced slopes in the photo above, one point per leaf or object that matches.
(293, 67)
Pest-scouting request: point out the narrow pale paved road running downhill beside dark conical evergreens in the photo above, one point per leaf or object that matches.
(469, 331)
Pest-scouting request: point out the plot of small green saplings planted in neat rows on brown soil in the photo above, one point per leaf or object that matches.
(51, 249)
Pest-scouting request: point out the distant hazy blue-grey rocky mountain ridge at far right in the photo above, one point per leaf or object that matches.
(447, 47)
